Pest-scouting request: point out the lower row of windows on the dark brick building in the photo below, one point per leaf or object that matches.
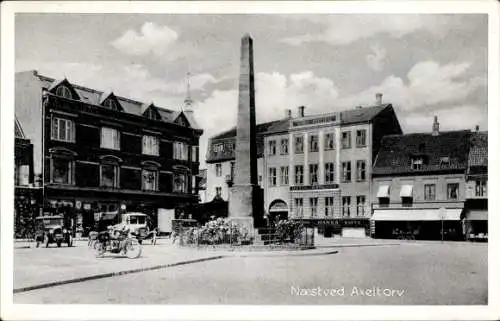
(63, 172)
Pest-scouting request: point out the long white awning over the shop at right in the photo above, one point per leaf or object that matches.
(452, 214)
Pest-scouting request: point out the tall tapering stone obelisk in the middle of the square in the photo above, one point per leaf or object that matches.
(244, 194)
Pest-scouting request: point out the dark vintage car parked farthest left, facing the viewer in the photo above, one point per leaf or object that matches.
(51, 229)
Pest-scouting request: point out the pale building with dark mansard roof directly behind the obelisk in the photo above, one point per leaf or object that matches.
(220, 162)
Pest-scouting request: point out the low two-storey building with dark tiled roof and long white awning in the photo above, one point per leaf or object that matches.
(419, 184)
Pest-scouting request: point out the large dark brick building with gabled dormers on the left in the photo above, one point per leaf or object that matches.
(98, 152)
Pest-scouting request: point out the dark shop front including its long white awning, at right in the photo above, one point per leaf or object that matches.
(420, 224)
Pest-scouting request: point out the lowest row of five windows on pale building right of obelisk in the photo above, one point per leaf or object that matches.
(329, 206)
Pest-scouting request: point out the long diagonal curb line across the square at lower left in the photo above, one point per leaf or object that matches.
(112, 274)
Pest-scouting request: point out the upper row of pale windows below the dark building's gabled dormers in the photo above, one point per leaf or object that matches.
(64, 130)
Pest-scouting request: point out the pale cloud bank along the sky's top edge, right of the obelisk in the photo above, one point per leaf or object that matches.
(343, 29)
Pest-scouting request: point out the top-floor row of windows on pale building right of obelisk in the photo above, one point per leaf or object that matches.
(314, 142)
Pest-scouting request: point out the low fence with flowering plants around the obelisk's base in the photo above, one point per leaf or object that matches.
(234, 238)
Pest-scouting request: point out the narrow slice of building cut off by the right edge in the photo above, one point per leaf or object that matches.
(476, 178)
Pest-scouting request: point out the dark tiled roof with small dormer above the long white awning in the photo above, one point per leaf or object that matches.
(444, 152)
